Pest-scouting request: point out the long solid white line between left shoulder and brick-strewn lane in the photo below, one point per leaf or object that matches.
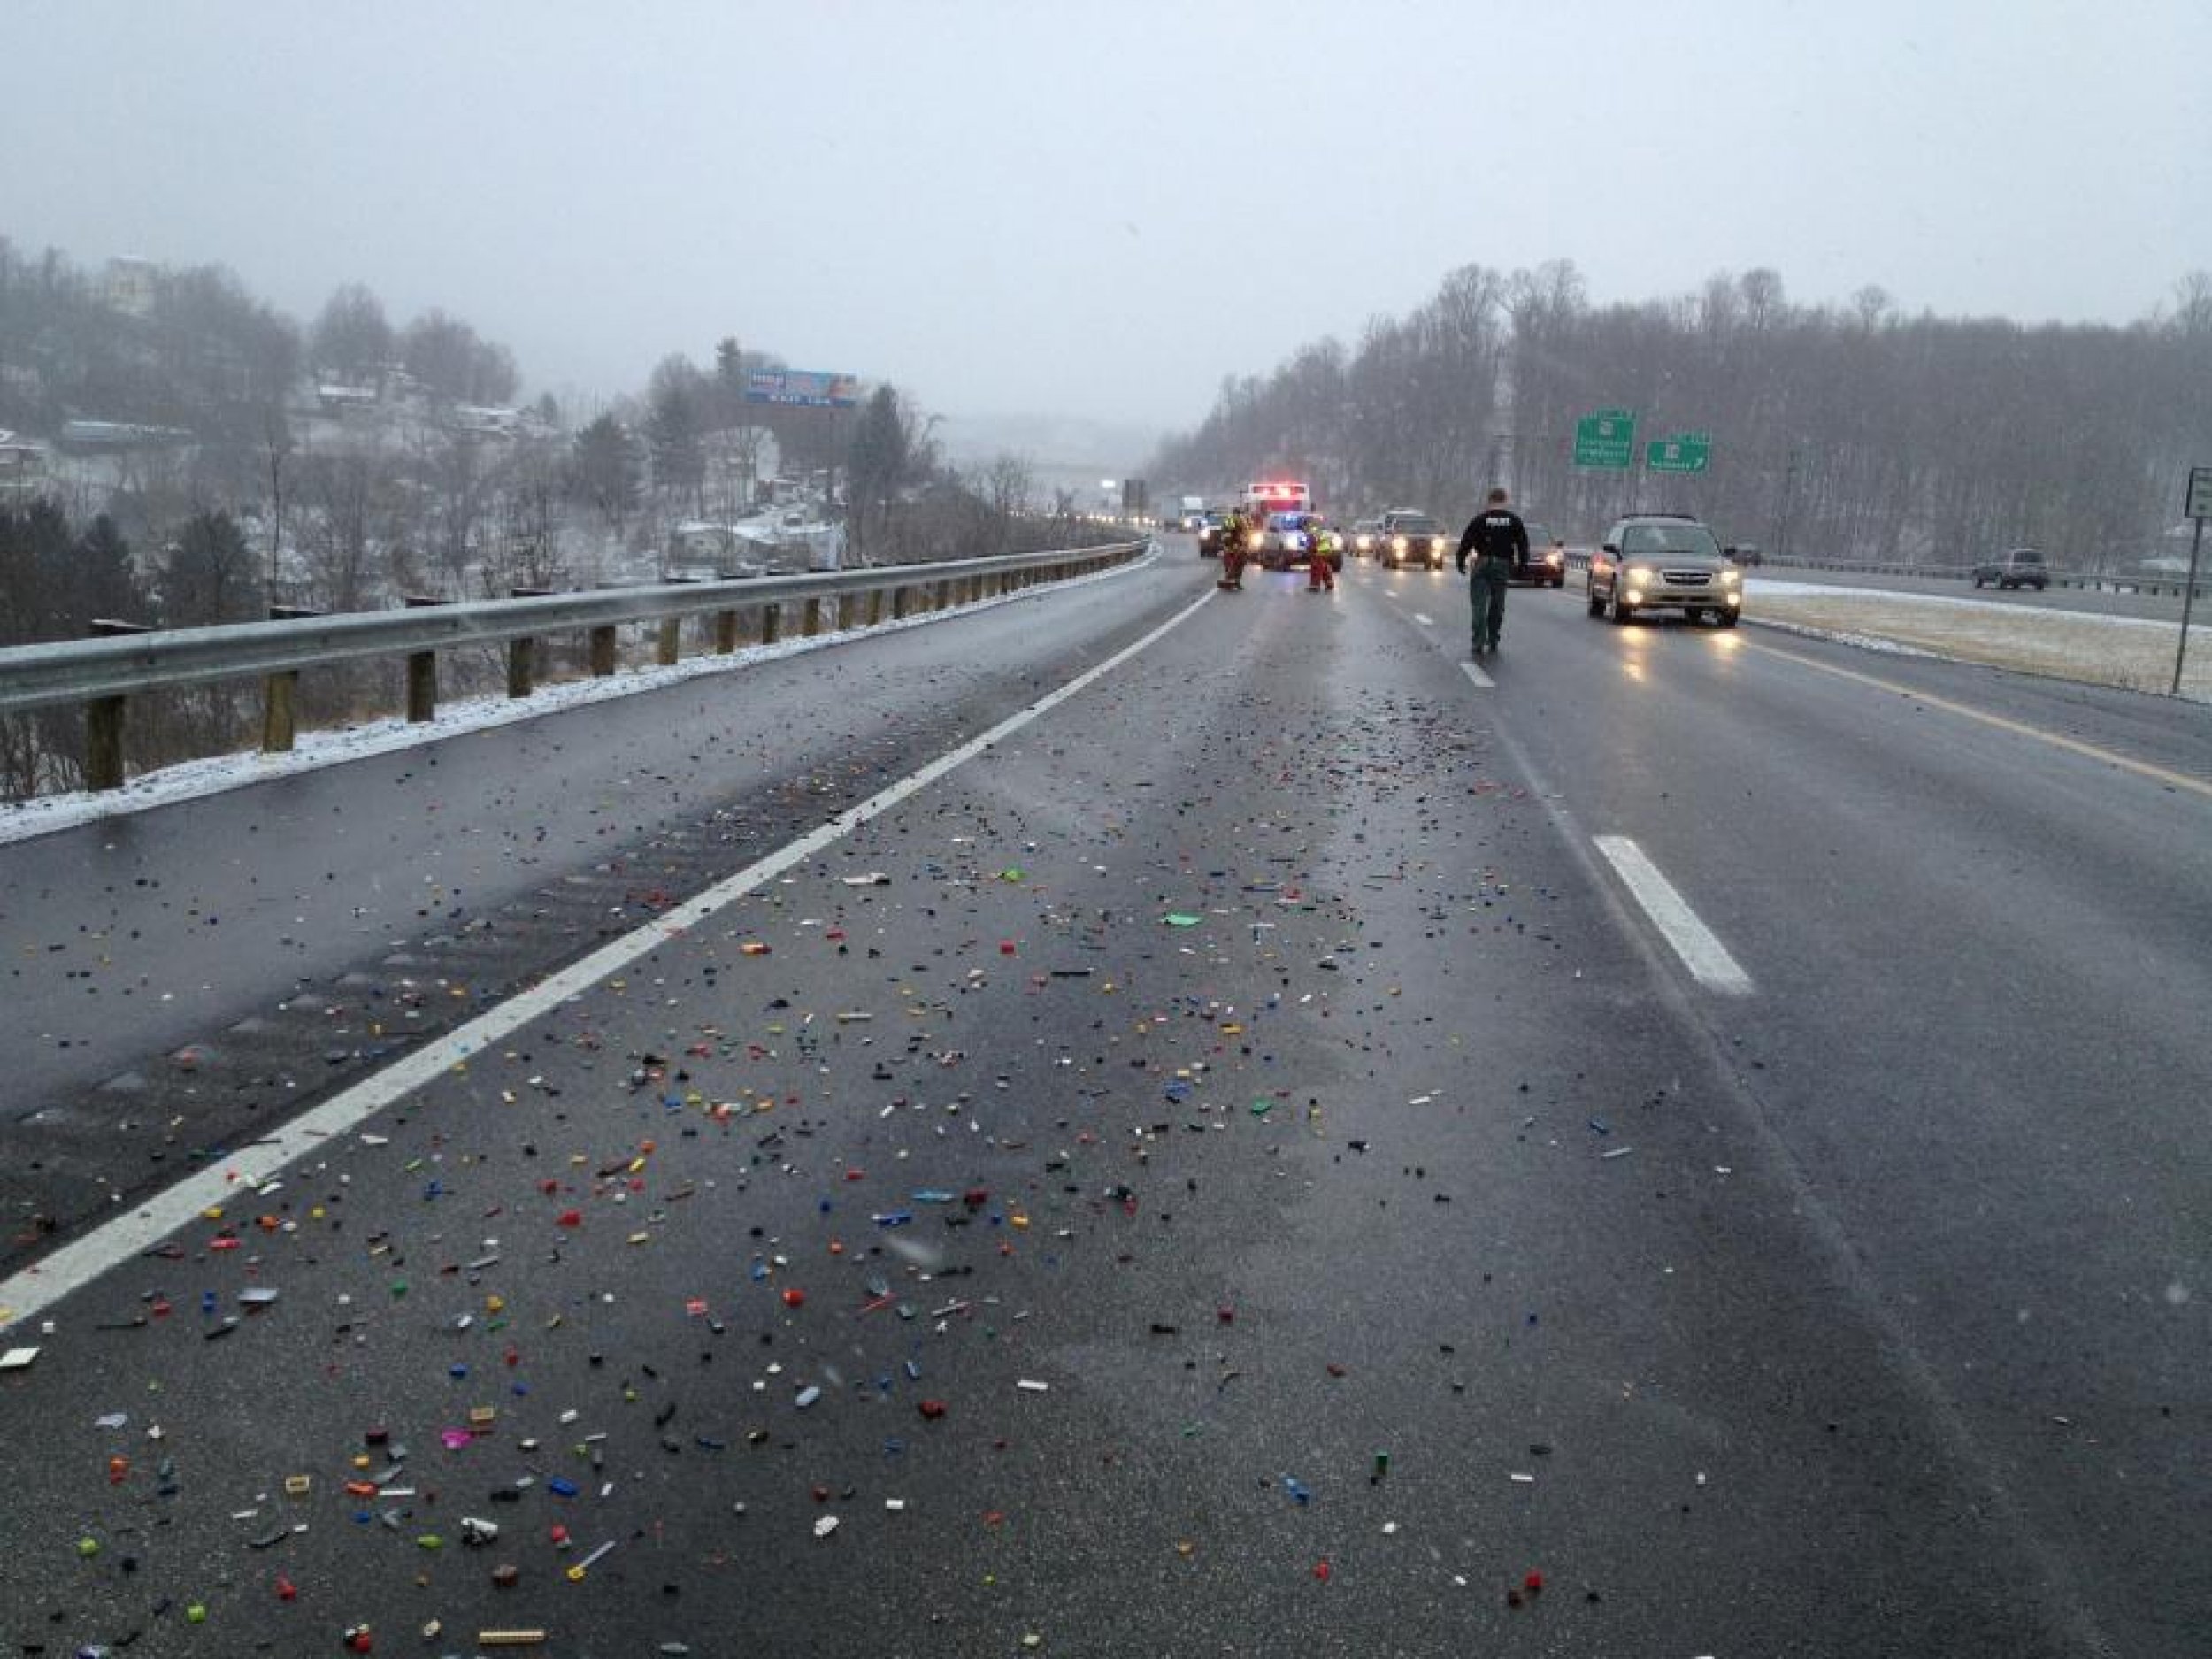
(236, 1178)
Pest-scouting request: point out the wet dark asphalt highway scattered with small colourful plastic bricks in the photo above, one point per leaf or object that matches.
(1231, 1169)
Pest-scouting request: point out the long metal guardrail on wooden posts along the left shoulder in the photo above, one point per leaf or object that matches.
(105, 671)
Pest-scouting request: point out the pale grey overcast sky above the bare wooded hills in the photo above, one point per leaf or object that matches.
(1100, 207)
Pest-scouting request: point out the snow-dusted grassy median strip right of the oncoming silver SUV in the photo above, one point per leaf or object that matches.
(2131, 654)
